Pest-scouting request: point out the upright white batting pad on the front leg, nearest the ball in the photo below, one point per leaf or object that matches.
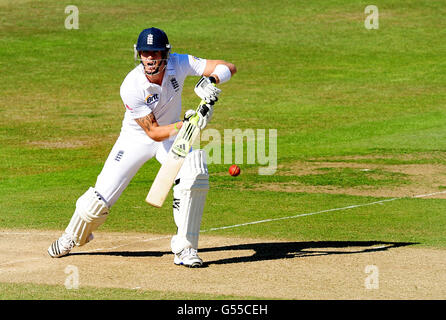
(189, 199)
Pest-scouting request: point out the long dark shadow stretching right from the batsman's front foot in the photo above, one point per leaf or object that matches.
(288, 250)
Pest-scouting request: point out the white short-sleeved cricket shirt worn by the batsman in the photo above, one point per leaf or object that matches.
(141, 97)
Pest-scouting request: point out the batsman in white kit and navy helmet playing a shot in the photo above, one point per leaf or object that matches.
(151, 94)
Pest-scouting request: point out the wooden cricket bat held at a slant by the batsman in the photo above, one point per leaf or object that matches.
(175, 157)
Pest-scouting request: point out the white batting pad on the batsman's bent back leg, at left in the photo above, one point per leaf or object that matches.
(91, 212)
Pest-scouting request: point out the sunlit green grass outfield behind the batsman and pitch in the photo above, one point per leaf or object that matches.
(309, 69)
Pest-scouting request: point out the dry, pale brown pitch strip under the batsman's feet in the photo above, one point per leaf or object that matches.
(234, 266)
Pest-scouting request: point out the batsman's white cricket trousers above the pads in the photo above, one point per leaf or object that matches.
(125, 159)
